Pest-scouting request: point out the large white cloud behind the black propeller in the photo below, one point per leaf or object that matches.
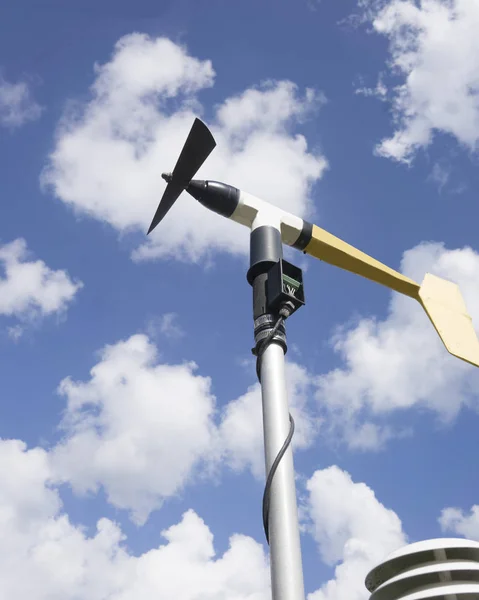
(110, 152)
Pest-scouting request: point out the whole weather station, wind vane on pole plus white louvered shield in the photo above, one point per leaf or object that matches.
(444, 569)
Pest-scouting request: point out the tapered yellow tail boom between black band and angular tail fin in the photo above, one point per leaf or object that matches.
(327, 247)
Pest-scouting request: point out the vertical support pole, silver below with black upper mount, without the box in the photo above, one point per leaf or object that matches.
(285, 548)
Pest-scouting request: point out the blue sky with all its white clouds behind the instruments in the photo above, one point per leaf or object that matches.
(130, 414)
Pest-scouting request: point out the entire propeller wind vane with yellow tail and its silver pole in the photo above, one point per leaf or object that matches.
(277, 293)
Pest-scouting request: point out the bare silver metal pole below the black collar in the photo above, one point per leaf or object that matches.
(285, 548)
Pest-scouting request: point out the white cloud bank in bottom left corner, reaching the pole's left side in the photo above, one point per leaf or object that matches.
(62, 561)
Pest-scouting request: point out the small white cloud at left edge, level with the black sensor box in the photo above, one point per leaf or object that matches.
(30, 289)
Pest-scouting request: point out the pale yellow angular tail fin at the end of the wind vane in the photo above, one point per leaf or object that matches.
(444, 305)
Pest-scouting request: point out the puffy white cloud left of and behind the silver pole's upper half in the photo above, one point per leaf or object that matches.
(136, 416)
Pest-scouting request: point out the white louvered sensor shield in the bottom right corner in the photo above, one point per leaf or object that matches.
(439, 569)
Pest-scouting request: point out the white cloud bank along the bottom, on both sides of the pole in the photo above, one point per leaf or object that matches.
(354, 532)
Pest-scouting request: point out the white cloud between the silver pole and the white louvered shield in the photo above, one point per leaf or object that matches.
(354, 531)
